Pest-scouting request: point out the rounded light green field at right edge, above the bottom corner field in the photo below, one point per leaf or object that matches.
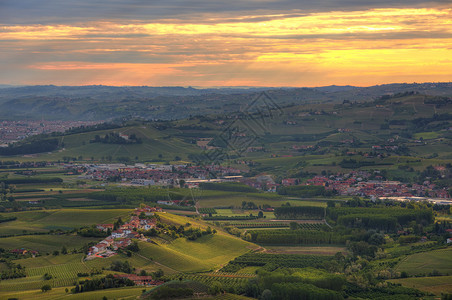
(426, 262)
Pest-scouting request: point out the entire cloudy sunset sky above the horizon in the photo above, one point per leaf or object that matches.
(202, 43)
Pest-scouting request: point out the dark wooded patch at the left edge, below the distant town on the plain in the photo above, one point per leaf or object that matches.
(37, 145)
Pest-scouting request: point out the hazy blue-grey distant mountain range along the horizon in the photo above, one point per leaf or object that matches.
(99, 102)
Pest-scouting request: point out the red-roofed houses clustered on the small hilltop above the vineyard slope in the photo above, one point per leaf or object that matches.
(122, 236)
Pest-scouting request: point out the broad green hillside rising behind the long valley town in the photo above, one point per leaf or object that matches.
(388, 132)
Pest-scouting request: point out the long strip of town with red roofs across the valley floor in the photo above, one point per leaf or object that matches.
(355, 183)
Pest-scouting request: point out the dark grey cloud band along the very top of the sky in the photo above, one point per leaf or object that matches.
(57, 11)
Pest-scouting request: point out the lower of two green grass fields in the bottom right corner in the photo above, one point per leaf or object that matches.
(435, 285)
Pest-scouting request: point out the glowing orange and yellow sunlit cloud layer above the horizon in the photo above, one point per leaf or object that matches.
(358, 47)
